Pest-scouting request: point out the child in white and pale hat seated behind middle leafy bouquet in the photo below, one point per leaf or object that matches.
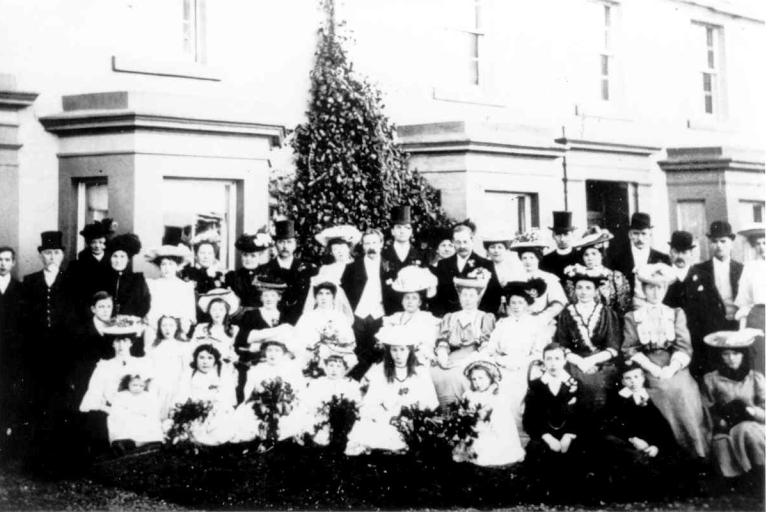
(321, 391)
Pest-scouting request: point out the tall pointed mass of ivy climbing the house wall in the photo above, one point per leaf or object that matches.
(348, 169)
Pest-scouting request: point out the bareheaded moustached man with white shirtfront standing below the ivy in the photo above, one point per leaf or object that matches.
(364, 282)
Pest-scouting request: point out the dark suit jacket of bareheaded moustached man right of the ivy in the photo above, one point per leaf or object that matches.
(447, 299)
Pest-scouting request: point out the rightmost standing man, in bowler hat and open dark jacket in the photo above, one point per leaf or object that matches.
(710, 290)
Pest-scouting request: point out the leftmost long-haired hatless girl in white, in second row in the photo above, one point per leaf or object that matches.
(170, 354)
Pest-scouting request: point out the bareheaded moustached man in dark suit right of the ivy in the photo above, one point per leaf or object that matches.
(463, 264)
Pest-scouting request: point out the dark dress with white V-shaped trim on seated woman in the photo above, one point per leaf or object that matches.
(586, 337)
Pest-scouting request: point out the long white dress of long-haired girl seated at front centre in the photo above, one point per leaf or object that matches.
(383, 402)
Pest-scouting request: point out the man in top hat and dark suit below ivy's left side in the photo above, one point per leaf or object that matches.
(295, 273)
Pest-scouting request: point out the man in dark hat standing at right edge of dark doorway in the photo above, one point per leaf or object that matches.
(637, 251)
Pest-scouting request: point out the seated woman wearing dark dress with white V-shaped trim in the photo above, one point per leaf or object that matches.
(589, 332)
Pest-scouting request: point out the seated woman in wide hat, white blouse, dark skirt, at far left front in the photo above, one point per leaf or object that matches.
(104, 383)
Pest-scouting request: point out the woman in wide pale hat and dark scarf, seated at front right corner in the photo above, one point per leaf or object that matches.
(735, 395)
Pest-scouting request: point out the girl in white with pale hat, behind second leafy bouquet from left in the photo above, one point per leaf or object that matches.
(277, 364)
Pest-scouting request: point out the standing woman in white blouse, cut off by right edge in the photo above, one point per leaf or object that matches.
(752, 290)
